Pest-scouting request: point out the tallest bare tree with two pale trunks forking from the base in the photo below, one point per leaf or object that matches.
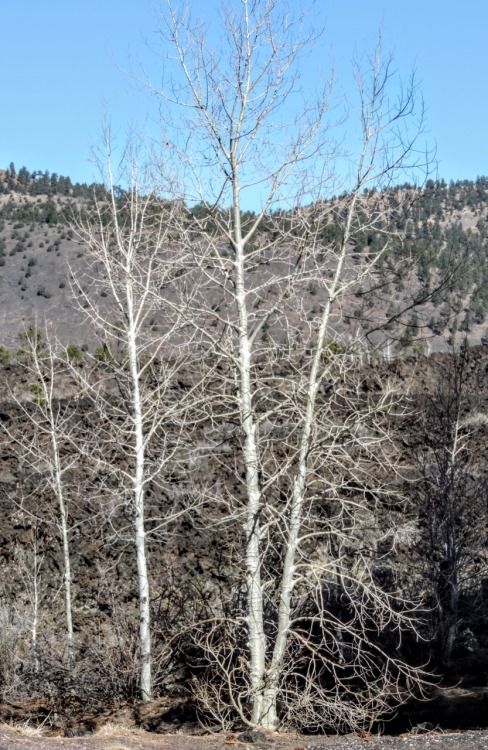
(313, 440)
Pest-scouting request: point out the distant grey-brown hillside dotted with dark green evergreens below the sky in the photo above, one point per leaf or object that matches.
(442, 245)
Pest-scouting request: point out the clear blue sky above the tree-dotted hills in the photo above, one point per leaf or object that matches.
(62, 64)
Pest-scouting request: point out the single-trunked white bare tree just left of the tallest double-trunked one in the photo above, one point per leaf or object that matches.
(138, 407)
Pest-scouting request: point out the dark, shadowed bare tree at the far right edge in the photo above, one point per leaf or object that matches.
(451, 492)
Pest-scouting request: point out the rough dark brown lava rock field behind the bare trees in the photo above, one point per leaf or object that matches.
(193, 563)
